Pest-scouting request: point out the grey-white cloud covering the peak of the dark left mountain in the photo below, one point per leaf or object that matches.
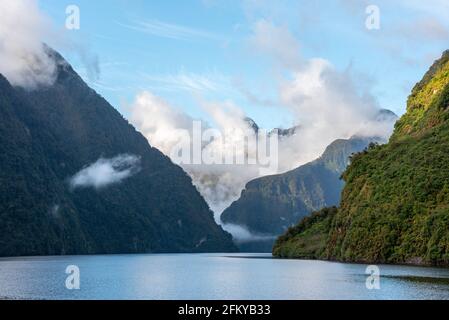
(25, 58)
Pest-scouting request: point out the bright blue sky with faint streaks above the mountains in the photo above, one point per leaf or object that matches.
(186, 51)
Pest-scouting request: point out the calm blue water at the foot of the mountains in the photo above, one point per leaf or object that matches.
(212, 276)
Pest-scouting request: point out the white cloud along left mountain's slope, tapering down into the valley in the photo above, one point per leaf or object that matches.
(166, 127)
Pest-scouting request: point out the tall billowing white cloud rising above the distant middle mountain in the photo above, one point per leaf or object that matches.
(328, 104)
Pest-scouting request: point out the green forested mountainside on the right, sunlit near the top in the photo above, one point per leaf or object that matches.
(395, 205)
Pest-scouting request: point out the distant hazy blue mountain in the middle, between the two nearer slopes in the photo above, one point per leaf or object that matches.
(269, 205)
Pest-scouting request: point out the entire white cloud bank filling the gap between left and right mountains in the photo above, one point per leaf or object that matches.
(326, 104)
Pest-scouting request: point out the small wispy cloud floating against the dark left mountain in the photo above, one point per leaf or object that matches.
(105, 172)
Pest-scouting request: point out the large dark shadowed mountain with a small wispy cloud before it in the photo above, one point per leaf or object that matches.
(49, 136)
